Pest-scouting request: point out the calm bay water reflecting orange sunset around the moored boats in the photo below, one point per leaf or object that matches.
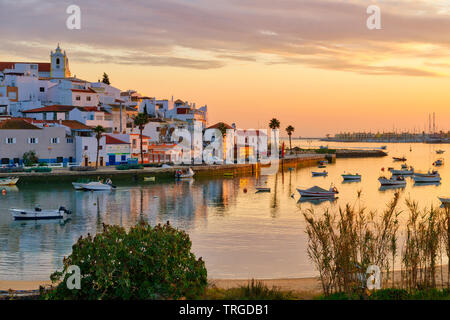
(239, 235)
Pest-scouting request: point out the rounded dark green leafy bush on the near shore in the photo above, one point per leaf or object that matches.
(144, 263)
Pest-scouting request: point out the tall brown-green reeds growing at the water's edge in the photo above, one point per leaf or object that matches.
(342, 244)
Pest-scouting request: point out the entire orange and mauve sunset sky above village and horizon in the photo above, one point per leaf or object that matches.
(312, 64)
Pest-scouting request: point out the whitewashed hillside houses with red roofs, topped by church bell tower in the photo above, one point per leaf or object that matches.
(45, 109)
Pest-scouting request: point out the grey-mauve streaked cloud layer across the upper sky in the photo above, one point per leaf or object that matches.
(317, 33)
